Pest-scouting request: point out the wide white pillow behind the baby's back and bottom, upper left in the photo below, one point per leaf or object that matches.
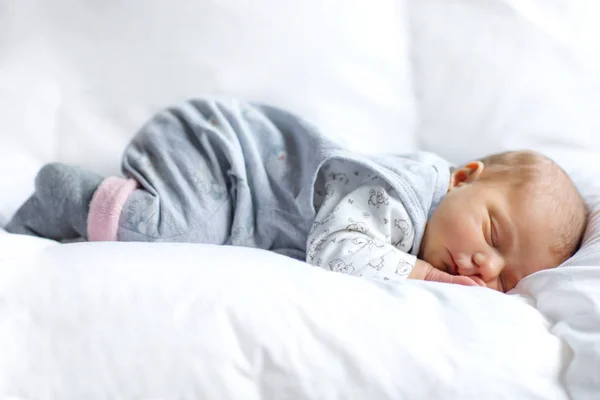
(341, 64)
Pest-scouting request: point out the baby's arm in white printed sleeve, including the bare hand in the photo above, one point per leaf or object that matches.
(367, 232)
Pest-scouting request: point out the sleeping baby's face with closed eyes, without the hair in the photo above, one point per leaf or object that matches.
(489, 232)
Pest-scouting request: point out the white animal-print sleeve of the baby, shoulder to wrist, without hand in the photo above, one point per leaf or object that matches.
(361, 227)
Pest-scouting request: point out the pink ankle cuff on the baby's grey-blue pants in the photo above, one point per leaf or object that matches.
(106, 206)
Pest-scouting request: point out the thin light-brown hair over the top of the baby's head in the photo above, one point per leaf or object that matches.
(540, 176)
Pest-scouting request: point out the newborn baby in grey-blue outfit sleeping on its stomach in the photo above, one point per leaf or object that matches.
(232, 173)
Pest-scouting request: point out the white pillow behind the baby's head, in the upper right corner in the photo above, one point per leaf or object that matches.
(501, 74)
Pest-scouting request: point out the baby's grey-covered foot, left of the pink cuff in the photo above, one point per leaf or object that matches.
(58, 209)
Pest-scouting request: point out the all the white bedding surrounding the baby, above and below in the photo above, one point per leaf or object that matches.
(132, 321)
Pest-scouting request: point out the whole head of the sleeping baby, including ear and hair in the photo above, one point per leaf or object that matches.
(505, 217)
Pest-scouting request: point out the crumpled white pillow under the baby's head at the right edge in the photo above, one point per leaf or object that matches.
(570, 295)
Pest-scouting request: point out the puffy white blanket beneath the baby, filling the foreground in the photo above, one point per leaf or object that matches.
(114, 320)
